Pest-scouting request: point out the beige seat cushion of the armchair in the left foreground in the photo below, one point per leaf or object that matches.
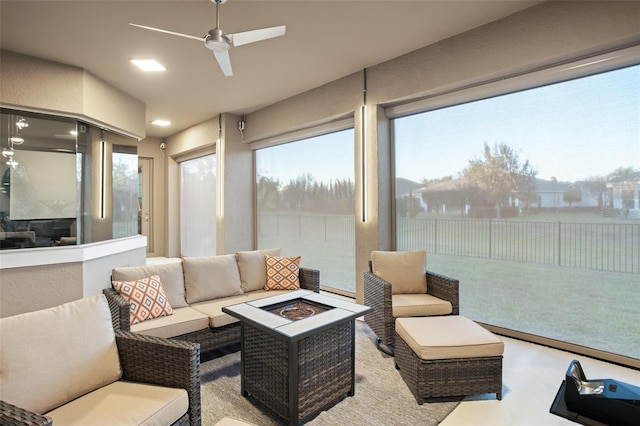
(124, 403)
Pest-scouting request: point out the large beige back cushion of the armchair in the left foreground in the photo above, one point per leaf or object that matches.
(52, 356)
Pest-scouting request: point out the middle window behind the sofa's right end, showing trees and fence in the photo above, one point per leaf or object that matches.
(305, 204)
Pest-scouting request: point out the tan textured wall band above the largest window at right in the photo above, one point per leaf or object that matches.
(542, 35)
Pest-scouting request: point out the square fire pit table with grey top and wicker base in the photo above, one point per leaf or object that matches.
(297, 351)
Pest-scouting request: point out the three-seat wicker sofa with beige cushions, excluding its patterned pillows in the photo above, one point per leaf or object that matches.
(198, 289)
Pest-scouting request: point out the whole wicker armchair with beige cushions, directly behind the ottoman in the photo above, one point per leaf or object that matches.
(439, 297)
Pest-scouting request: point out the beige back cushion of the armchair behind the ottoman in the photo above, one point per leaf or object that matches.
(405, 270)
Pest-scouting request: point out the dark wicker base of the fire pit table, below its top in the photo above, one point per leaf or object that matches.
(297, 380)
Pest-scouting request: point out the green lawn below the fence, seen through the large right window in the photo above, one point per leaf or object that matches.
(590, 308)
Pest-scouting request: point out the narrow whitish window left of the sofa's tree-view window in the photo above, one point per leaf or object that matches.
(198, 206)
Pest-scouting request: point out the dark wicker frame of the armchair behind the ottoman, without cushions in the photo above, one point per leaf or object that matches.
(378, 295)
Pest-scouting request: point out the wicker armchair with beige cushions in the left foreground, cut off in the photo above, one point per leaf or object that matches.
(66, 365)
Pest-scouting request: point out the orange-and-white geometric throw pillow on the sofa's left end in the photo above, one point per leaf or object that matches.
(146, 296)
